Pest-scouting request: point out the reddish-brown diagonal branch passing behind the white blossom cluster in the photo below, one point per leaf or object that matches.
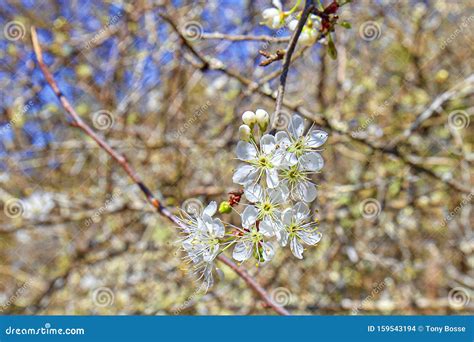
(79, 123)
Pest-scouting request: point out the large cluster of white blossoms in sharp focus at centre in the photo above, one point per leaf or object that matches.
(275, 175)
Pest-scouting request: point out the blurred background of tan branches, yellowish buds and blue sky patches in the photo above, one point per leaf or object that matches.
(395, 195)
